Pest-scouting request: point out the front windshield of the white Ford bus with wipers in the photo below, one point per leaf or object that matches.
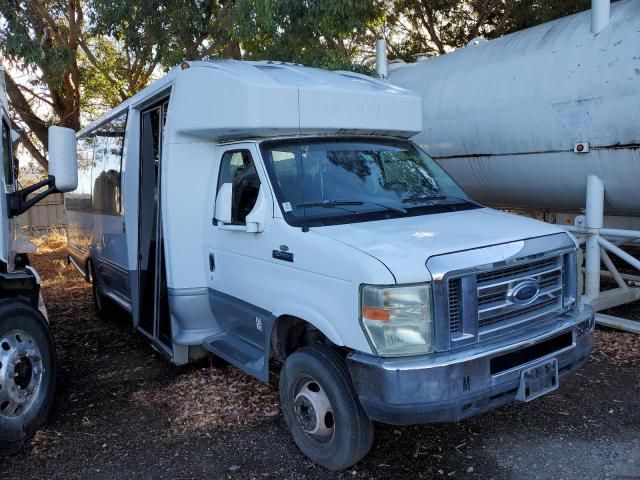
(343, 180)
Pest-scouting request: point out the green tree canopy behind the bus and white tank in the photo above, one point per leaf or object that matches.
(85, 56)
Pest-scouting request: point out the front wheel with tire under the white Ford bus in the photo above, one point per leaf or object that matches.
(321, 409)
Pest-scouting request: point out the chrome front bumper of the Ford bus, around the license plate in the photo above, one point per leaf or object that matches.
(455, 385)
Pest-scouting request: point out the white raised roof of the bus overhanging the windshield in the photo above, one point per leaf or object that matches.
(229, 99)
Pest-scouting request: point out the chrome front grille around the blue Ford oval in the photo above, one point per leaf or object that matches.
(497, 311)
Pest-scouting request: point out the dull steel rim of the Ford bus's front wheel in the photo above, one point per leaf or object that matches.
(313, 412)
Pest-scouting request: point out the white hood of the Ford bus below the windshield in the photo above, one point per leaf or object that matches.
(405, 244)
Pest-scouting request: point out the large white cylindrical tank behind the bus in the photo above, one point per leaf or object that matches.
(504, 117)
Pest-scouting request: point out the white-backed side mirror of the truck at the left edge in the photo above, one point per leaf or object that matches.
(63, 161)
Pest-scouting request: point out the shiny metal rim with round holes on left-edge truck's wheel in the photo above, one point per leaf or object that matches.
(21, 373)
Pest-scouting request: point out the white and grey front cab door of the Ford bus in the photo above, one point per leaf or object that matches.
(238, 263)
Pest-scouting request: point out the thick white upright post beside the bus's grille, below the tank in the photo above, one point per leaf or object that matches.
(594, 222)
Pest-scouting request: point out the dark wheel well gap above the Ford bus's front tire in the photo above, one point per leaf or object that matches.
(291, 333)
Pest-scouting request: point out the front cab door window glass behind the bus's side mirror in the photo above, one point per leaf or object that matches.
(237, 167)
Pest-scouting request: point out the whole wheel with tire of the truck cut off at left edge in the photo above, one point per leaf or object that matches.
(27, 373)
